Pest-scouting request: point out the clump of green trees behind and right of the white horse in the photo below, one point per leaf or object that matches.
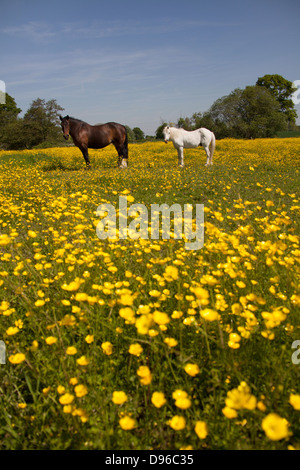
(257, 111)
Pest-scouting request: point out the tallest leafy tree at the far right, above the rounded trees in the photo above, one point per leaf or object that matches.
(282, 90)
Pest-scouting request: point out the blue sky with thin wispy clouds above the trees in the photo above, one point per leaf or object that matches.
(142, 62)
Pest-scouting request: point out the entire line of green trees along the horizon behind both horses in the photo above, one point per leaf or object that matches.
(256, 111)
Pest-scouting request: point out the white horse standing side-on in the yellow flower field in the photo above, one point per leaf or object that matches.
(190, 139)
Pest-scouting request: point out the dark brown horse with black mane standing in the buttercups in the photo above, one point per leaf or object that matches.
(86, 136)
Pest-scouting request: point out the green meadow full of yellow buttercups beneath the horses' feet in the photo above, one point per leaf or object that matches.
(142, 344)
